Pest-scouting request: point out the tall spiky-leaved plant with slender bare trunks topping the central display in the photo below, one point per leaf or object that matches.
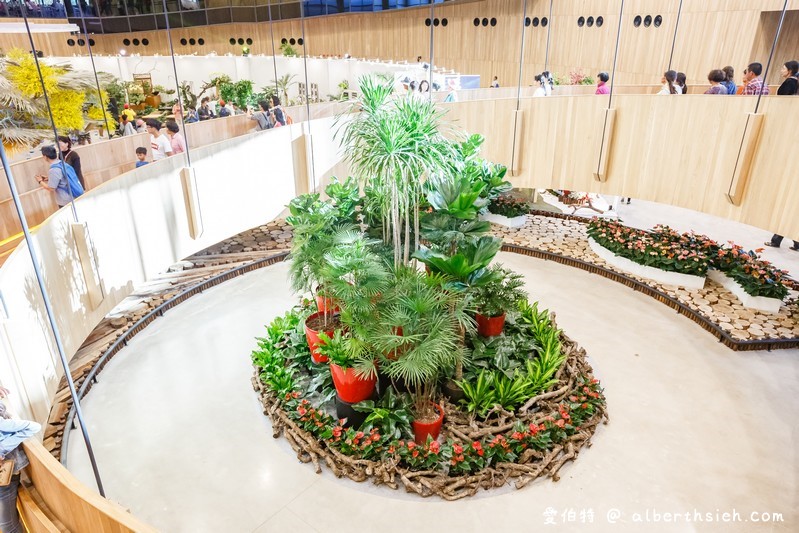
(392, 145)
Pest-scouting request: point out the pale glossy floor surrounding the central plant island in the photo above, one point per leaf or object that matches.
(695, 428)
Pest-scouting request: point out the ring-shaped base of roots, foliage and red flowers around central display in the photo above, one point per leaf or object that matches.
(533, 440)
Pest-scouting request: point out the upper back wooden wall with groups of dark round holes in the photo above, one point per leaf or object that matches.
(711, 34)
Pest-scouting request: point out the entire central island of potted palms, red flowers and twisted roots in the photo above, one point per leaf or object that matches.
(444, 378)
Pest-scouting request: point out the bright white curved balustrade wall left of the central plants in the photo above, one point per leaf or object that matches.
(138, 224)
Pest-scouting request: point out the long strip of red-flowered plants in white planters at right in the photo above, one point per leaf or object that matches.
(689, 253)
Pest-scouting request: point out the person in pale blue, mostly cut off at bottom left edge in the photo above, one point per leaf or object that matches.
(12, 434)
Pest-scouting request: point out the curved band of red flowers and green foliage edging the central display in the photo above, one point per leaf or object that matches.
(376, 440)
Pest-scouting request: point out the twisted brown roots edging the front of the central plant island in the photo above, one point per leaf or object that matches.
(462, 427)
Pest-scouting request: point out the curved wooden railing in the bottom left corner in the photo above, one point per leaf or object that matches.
(58, 501)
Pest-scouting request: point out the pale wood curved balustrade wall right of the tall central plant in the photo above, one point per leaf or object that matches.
(678, 151)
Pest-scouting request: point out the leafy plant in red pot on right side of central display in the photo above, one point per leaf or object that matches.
(493, 298)
